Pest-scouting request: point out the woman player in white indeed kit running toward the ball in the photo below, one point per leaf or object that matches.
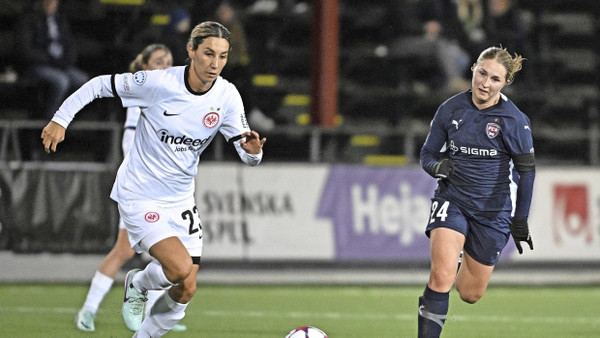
(183, 108)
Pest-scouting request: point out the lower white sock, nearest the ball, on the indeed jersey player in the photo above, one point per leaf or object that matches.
(164, 315)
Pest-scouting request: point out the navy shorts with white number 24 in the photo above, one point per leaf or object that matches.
(484, 239)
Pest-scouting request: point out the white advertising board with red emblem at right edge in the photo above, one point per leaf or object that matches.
(565, 216)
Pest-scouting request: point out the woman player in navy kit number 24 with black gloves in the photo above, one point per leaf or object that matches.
(481, 150)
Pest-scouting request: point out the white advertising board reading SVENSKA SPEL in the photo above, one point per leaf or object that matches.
(263, 212)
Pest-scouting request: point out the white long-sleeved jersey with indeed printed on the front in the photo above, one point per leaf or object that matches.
(175, 127)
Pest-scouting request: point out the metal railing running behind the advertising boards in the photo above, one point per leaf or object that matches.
(311, 144)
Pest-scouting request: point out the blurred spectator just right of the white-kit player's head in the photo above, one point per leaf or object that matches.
(239, 67)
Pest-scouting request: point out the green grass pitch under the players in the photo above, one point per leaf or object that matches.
(48, 310)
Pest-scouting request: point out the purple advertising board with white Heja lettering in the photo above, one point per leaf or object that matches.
(378, 213)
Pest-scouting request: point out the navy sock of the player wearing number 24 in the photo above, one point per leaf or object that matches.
(433, 307)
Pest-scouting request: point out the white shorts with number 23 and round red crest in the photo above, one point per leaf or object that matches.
(148, 222)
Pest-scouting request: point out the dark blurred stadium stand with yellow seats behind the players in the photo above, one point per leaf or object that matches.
(376, 85)
